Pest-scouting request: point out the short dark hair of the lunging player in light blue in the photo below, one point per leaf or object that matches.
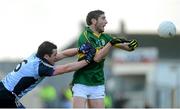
(45, 48)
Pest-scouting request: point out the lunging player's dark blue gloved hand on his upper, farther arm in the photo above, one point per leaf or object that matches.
(84, 48)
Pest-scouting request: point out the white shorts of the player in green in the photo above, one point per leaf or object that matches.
(88, 92)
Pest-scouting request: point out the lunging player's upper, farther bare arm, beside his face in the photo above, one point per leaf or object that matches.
(66, 53)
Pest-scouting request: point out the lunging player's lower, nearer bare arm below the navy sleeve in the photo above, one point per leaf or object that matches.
(69, 67)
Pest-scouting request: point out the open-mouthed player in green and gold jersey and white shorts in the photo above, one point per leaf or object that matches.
(88, 82)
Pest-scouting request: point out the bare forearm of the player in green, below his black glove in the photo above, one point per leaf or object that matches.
(102, 52)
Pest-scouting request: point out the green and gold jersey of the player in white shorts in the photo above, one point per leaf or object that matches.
(93, 73)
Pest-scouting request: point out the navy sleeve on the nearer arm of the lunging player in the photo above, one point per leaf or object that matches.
(45, 70)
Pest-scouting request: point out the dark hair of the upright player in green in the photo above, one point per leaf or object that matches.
(93, 14)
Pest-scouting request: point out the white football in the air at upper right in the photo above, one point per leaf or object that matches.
(167, 29)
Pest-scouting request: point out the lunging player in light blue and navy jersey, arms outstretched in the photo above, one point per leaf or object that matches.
(34, 69)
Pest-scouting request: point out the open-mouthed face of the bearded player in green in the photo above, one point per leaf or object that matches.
(101, 23)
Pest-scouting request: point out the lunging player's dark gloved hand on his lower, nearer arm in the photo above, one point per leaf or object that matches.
(89, 56)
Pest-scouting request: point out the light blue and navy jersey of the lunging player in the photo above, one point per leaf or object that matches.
(27, 75)
